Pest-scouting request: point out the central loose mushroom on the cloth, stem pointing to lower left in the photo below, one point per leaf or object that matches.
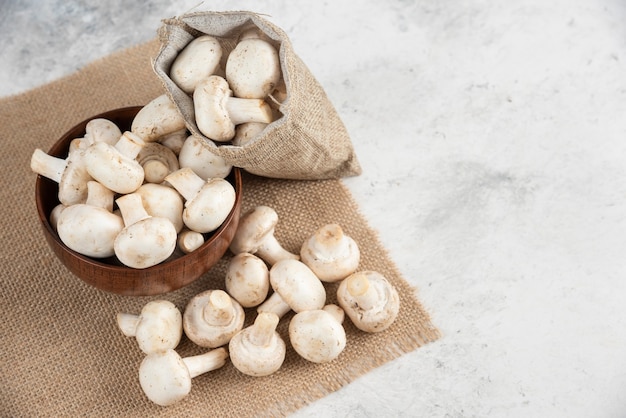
(296, 288)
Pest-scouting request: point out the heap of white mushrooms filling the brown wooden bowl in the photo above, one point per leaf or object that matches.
(140, 194)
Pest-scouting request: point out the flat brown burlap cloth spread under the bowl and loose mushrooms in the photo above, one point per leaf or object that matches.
(62, 354)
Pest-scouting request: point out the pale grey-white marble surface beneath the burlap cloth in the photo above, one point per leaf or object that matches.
(492, 138)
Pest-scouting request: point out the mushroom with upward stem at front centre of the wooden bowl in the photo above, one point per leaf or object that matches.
(145, 240)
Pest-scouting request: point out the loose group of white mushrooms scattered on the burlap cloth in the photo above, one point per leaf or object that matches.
(263, 276)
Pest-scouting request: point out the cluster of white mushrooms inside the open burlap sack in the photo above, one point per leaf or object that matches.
(235, 93)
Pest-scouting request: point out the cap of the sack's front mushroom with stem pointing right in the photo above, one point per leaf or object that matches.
(210, 107)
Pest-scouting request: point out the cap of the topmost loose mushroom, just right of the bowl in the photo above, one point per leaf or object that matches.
(253, 227)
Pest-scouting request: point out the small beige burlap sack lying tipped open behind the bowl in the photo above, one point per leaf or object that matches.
(308, 142)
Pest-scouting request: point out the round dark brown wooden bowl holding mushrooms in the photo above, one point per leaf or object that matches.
(109, 274)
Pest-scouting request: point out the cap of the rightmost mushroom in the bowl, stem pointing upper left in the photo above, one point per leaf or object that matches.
(210, 207)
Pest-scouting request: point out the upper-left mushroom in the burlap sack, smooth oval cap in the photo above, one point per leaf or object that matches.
(199, 59)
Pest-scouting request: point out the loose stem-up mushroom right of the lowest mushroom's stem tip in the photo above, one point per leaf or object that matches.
(258, 350)
